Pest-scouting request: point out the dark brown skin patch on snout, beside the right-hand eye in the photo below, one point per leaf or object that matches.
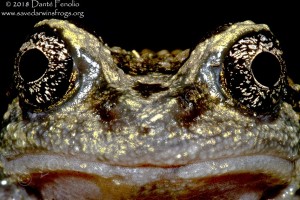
(193, 101)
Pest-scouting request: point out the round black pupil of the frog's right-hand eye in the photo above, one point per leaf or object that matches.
(266, 69)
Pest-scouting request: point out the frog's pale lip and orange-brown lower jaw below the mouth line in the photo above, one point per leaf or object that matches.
(250, 177)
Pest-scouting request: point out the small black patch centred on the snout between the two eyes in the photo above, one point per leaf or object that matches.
(147, 89)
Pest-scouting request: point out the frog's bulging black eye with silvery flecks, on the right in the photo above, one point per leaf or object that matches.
(254, 73)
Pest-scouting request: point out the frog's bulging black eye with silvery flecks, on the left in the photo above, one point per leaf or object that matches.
(42, 71)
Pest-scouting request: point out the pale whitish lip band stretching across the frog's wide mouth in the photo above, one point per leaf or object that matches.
(256, 164)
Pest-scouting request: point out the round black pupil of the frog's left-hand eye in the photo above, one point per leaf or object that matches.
(33, 65)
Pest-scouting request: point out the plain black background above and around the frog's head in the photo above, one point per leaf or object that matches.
(155, 25)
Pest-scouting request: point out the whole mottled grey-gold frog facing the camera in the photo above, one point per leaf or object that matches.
(90, 121)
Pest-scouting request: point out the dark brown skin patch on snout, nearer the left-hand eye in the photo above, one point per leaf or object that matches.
(104, 104)
